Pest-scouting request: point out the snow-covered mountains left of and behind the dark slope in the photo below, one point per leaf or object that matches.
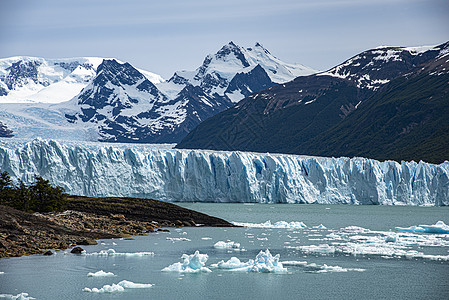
(109, 100)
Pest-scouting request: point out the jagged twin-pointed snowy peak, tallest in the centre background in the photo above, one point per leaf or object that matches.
(256, 67)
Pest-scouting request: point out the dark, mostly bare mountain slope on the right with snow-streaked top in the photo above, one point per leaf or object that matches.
(384, 103)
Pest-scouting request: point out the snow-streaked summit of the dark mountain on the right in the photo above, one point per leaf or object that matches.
(376, 67)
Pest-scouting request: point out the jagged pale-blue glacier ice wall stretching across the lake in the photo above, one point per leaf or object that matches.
(212, 176)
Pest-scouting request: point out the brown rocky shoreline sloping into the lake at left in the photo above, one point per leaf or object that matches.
(89, 219)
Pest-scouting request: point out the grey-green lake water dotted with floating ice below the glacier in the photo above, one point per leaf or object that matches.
(356, 254)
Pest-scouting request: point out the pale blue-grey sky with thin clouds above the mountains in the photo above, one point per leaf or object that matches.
(170, 35)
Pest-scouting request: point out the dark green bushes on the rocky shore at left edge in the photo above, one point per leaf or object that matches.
(40, 196)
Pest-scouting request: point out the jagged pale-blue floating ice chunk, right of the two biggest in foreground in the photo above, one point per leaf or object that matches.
(264, 263)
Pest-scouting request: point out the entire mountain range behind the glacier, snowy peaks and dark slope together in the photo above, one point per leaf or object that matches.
(384, 103)
